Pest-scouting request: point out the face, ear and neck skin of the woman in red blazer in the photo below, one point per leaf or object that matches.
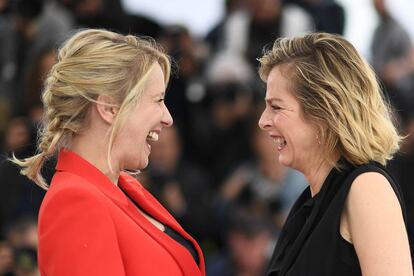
(131, 148)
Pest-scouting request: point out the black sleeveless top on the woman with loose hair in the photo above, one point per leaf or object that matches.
(310, 242)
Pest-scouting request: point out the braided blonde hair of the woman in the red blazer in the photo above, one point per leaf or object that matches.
(91, 63)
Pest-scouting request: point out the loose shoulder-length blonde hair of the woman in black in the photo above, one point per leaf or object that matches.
(339, 92)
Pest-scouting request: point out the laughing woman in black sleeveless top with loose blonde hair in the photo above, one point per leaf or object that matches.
(326, 113)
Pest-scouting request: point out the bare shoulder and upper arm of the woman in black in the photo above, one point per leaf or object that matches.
(376, 226)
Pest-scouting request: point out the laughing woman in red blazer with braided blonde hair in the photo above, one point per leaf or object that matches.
(104, 108)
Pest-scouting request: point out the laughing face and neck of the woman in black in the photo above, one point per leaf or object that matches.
(283, 118)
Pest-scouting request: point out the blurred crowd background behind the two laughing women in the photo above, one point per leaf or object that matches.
(214, 170)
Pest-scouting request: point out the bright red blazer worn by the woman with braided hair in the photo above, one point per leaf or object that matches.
(88, 226)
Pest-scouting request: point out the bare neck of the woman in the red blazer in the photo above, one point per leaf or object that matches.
(96, 154)
